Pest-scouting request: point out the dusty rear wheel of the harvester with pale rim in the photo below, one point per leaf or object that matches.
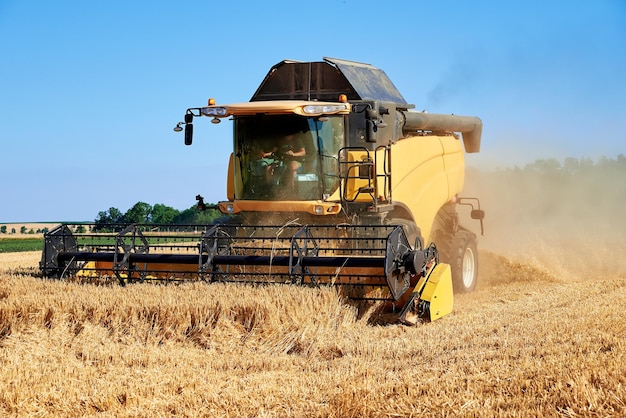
(461, 252)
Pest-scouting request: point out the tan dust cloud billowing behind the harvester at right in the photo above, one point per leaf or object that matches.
(564, 221)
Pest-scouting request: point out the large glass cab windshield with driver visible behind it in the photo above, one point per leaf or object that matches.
(287, 157)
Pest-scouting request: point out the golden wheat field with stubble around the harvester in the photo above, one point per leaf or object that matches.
(526, 343)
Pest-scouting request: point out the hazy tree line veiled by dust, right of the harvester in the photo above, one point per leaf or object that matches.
(567, 194)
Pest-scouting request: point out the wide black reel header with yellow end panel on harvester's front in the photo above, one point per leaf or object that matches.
(372, 263)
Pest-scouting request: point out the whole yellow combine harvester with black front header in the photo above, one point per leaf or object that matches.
(334, 179)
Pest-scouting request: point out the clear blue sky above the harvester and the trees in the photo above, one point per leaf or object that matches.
(90, 91)
